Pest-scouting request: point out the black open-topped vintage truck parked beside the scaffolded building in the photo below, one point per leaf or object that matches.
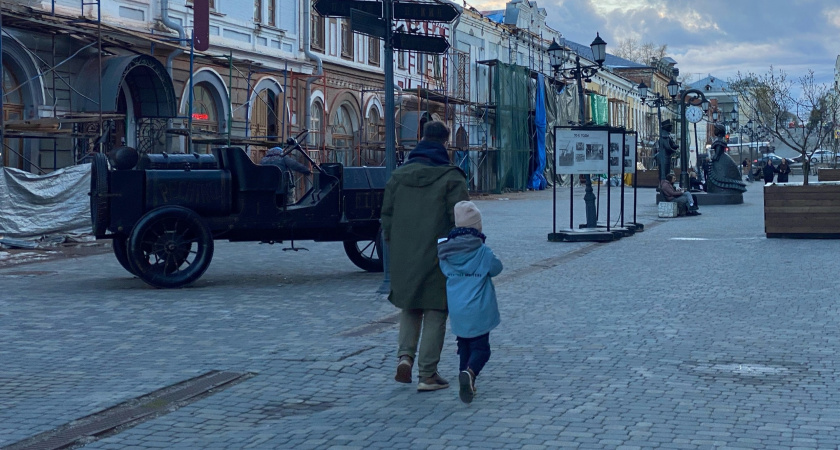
(164, 211)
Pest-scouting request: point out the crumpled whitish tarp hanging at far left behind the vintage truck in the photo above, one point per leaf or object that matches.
(33, 206)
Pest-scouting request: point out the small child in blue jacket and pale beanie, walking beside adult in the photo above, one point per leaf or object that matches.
(469, 266)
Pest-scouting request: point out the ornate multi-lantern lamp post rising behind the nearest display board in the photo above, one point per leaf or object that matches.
(559, 55)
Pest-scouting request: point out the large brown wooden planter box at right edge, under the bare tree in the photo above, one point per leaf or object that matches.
(792, 210)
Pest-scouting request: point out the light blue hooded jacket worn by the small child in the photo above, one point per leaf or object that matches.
(468, 265)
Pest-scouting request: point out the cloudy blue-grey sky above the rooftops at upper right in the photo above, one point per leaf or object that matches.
(717, 37)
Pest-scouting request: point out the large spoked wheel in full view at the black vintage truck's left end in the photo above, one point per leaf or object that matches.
(170, 247)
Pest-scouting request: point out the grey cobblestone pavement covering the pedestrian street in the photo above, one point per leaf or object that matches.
(696, 333)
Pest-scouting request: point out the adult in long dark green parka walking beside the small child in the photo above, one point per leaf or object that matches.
(418, 208)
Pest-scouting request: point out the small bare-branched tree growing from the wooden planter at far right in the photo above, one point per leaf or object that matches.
(800, 114)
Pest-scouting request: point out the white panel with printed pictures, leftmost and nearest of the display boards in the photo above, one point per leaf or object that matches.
(580, 150)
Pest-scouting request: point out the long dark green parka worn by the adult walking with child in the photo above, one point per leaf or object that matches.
(418, 209)
